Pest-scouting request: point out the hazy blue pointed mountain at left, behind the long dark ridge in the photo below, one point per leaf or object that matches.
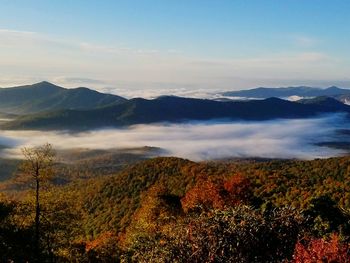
(45, 96)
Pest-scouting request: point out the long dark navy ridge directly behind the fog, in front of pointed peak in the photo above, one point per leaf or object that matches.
(174, 109)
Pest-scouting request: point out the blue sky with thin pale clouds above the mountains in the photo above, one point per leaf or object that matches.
(163, 46)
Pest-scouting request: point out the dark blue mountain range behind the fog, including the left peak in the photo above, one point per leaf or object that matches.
(52, 107)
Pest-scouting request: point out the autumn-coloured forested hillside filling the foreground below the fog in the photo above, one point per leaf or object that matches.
(175, 210)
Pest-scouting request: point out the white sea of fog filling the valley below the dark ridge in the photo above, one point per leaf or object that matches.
(199, 140)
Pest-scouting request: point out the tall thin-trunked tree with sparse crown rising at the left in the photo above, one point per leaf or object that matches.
(38, 166)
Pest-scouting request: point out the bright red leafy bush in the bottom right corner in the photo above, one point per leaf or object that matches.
(321, 250)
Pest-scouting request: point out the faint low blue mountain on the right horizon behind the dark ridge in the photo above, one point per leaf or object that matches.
(301, 91)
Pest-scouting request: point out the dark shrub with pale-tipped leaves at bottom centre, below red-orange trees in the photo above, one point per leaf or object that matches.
(238, 234)
